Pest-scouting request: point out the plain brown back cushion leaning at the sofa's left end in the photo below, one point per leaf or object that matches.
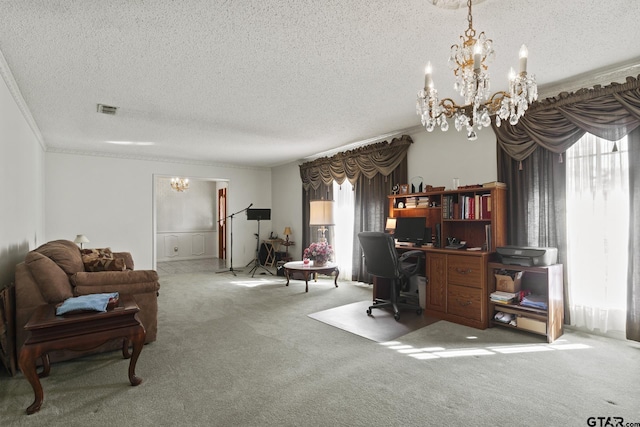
(52, 281)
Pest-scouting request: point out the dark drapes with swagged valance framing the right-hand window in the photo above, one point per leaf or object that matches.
(536, 176)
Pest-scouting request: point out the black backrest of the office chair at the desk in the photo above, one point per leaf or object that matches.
(380, 256)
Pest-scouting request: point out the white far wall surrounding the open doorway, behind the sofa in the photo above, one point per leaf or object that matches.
(111, 201)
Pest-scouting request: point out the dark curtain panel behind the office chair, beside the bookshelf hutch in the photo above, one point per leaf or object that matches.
(372, 210)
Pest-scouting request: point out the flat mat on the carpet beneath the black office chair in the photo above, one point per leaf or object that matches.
(379, 327)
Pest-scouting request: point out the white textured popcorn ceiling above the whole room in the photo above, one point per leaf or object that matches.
(265, 82)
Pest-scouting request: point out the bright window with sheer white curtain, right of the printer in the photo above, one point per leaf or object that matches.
(597, 232)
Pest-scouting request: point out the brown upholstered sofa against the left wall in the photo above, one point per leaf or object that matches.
(56, 271)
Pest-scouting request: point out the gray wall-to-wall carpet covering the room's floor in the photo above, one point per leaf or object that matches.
(237, 351)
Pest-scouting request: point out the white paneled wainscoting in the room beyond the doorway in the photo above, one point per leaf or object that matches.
(174, 246)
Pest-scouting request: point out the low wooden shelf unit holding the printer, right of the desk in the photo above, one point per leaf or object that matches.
(545, 281)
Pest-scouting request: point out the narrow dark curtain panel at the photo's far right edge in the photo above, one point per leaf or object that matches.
(633, 276)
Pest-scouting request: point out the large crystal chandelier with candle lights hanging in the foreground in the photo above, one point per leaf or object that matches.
(468, 61)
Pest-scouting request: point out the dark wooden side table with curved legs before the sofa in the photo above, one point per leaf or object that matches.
(49, 332)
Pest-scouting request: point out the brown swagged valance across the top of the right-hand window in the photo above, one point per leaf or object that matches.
(609, 112)
